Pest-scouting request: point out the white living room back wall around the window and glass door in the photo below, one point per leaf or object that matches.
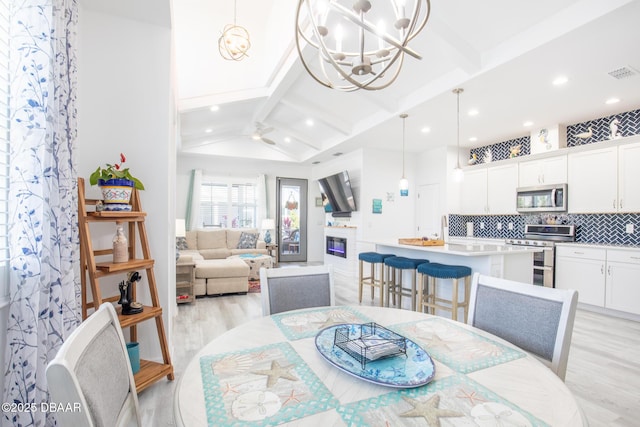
(243, 168)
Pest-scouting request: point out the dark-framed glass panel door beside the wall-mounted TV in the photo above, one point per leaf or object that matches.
(291, 211)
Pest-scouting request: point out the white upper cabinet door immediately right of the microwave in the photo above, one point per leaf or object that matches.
(593, 181)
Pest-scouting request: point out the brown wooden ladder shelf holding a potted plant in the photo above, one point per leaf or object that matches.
(150, 371)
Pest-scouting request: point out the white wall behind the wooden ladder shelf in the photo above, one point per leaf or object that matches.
(125, 105)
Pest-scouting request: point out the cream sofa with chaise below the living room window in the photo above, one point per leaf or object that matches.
(209, 249)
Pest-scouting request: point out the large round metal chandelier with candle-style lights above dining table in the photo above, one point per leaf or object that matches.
(351, 44)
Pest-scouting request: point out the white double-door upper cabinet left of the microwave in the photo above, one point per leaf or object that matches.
(490, 190)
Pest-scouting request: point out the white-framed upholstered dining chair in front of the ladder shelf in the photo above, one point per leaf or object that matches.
(92, 370)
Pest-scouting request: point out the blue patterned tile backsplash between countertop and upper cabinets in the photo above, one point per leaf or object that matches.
(606, 229)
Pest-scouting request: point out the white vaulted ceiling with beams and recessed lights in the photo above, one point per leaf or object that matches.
(504, 54)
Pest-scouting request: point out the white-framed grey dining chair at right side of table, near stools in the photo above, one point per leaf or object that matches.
(536, 319)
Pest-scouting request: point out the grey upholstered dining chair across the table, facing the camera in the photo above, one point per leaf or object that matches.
(291, 288)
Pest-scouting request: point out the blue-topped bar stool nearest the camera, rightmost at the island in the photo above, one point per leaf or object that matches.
(442, 271)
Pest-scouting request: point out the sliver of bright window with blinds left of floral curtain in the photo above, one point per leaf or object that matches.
(4, 148)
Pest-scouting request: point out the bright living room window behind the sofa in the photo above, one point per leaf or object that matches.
(228, 205)
